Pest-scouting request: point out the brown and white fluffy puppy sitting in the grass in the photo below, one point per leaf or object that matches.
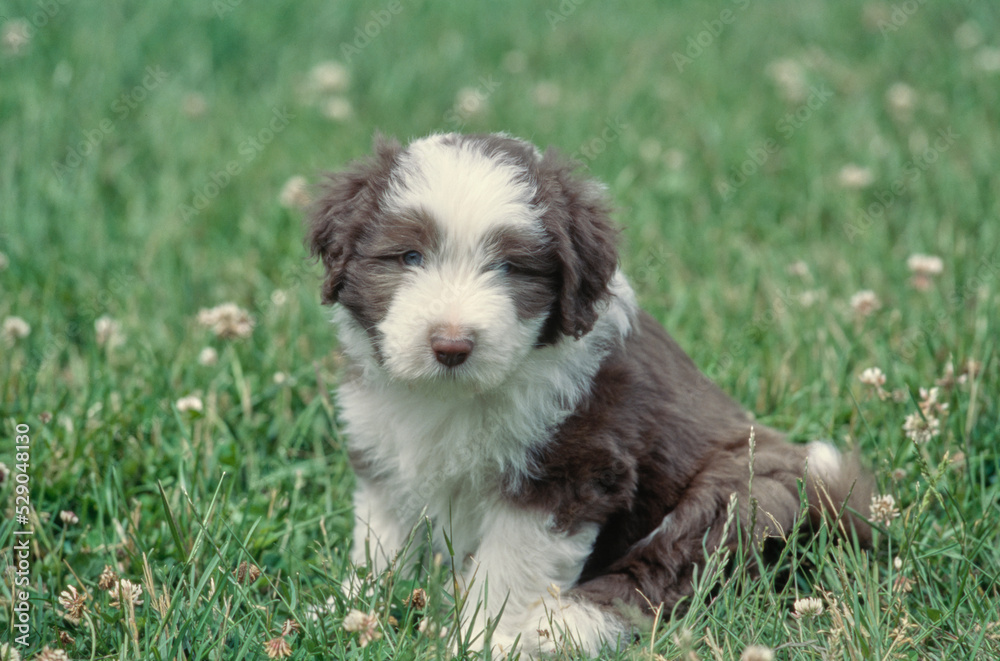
(503, 384)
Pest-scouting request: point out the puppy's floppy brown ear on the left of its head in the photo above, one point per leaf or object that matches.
(345, 201)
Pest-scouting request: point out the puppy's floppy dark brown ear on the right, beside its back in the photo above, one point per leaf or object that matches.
(577, 218)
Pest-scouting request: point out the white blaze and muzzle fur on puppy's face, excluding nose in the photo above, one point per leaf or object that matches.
(468, 195)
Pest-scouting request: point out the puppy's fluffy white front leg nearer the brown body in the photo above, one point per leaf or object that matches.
(523, 565)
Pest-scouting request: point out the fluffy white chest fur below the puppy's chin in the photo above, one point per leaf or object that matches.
(441, 457)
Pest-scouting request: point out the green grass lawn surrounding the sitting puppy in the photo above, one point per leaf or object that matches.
(261, 477)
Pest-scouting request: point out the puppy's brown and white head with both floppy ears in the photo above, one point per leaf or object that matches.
(457, 256)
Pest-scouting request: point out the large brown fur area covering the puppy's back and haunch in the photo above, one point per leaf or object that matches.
(657, 438)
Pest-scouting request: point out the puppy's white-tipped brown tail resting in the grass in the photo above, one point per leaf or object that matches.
(839, 491)
